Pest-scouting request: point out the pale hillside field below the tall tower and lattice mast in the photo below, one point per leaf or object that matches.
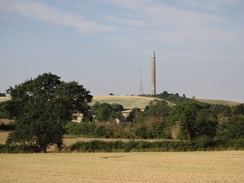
(128, 102)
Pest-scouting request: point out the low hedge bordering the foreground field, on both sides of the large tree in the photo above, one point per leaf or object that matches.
(135, 146)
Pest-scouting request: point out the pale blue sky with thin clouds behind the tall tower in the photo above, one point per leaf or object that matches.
(106, 45)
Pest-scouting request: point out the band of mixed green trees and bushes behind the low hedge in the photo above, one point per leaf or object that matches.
(187, 120)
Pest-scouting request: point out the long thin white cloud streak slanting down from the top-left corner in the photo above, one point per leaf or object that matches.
(36, 10)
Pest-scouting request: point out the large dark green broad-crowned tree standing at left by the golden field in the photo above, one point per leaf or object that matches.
(41, 108)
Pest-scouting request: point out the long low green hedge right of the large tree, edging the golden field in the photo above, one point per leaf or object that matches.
(203, 143)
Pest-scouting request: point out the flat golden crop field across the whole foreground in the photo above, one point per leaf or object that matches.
(224, 166)
